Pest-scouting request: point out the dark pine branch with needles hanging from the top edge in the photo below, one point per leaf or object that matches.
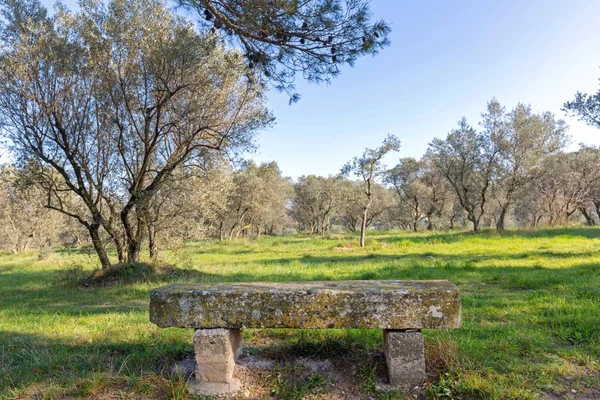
(282, 38)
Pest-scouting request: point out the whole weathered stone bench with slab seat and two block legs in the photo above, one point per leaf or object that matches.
(218, 311)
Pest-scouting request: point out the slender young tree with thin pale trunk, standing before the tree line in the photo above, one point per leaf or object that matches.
(368, 168)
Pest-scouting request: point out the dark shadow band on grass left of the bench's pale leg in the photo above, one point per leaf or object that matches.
(29, 359)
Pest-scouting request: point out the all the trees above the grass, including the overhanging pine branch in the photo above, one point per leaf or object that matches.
(127, 123)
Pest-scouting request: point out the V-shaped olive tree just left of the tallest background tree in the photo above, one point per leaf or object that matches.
(468, 160)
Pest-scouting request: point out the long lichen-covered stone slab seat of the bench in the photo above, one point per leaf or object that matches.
(336, 304)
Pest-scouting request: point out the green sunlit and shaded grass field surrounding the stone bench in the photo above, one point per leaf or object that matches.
(531, 313)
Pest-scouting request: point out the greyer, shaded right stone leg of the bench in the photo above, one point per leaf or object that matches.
(405, 357)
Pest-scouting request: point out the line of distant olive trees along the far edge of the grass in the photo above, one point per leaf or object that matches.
(512, 171)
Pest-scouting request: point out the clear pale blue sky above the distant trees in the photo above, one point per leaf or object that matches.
(447, 60)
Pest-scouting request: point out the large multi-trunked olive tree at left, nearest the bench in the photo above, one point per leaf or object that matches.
(111, 101)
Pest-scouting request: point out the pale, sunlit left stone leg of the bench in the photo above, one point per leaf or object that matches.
(216, 351)
